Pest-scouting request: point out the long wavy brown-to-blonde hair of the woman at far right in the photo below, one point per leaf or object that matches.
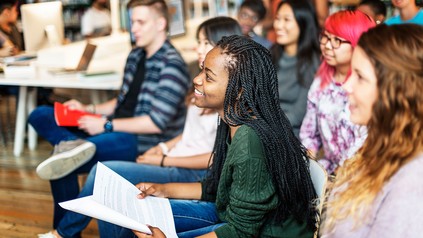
(395, 129)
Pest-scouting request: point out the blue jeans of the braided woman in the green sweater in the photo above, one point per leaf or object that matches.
(192, 218)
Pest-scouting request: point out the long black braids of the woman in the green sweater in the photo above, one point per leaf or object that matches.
(252, 99)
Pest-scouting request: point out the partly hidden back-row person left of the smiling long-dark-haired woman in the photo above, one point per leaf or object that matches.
(250, 13)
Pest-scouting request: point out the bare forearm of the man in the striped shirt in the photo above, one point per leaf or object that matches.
(136, 125)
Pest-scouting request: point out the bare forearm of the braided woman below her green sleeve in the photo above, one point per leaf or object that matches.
(183, 190)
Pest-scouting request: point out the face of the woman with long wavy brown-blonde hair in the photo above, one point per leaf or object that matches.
(361, 87)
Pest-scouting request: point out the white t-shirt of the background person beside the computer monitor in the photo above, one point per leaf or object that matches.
(96, 22)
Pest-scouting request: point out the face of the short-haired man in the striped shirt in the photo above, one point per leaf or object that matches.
(147, 25)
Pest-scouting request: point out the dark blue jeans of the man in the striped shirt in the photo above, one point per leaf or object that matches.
(110, 146)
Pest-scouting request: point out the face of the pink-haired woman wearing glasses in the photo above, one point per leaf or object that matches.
(336, 57)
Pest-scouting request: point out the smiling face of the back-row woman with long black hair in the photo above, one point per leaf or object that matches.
(287, 29)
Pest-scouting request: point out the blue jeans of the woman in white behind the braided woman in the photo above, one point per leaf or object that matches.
(73, 223)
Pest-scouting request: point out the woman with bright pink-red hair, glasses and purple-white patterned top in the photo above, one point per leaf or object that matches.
(326, 124)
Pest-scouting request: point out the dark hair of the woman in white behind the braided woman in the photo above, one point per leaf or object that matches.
(217, 27)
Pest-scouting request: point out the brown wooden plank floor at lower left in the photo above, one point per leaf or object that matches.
(25, 200)
